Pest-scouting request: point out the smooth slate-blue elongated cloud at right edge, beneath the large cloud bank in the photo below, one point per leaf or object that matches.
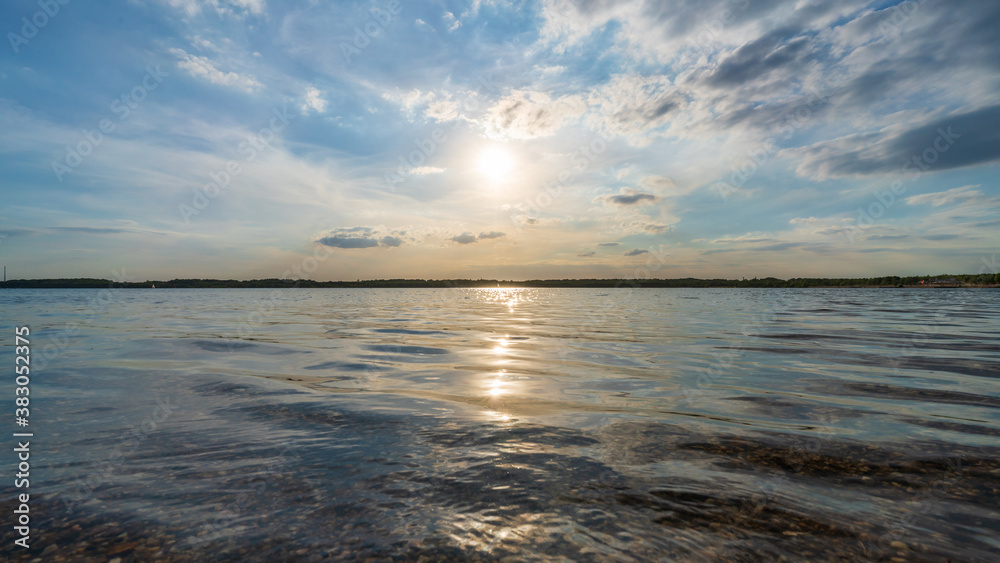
(944, 143)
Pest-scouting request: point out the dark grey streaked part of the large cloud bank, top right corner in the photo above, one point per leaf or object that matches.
(875, 61)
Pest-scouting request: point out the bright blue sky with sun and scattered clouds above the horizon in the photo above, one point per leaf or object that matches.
(242, 139)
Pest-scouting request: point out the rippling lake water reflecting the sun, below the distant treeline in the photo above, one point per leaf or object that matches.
(529, 424)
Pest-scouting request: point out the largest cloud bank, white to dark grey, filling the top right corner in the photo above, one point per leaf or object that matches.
(749, 67)
